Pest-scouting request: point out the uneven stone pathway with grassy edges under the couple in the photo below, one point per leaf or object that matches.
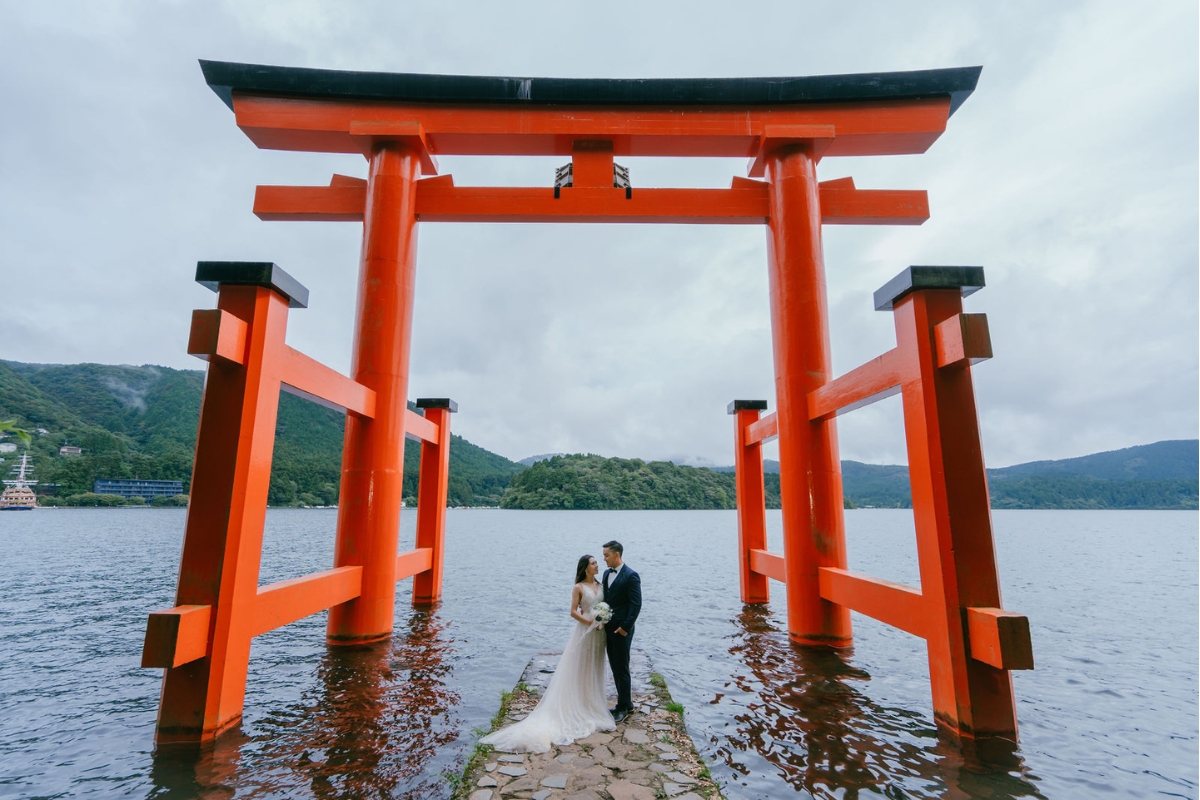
(649, 757)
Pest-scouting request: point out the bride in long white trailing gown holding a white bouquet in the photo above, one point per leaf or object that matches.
(574, 705)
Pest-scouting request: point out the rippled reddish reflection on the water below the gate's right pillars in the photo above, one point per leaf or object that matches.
(806, 718)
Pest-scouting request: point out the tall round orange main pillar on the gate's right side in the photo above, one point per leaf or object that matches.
(809, 470)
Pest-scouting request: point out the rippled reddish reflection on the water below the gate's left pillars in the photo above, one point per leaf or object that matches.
(374, 727)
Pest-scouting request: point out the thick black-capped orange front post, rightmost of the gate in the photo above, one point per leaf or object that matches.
(973, 642)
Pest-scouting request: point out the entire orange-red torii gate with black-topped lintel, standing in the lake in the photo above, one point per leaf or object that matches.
(400, 123)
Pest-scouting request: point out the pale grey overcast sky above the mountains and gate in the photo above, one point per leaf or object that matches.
(1071, 176)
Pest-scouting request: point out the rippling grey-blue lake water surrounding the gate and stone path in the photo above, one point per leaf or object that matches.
(1109, 712)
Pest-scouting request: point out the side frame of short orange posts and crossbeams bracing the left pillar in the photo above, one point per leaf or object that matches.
(203, 642)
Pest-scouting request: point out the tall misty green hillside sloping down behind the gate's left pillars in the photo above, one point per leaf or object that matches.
(141, 423)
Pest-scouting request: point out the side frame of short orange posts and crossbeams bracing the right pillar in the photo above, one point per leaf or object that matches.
(973, 642)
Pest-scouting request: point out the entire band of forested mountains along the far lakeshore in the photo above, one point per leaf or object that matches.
(141, 423)
